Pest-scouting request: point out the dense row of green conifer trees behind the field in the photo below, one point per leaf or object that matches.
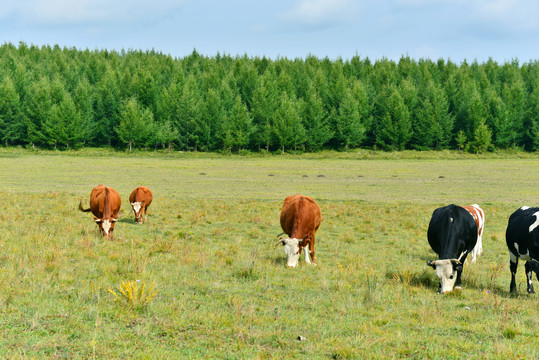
(66, 98)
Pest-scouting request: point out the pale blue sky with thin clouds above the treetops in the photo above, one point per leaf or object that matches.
(421, 29)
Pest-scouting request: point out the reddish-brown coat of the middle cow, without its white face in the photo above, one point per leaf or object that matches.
(300, 219)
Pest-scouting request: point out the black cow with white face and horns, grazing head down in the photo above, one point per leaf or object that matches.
(452, 234)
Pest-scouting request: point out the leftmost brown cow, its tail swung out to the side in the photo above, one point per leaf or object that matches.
(105, 203)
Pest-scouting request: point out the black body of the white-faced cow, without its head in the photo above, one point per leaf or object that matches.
(451, 231)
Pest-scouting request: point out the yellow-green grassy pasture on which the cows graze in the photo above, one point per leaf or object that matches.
(224, 290)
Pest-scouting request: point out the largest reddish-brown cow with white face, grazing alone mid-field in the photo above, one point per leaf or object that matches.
(300, 219)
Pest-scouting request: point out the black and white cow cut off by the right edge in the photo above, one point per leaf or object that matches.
(522, 237)
